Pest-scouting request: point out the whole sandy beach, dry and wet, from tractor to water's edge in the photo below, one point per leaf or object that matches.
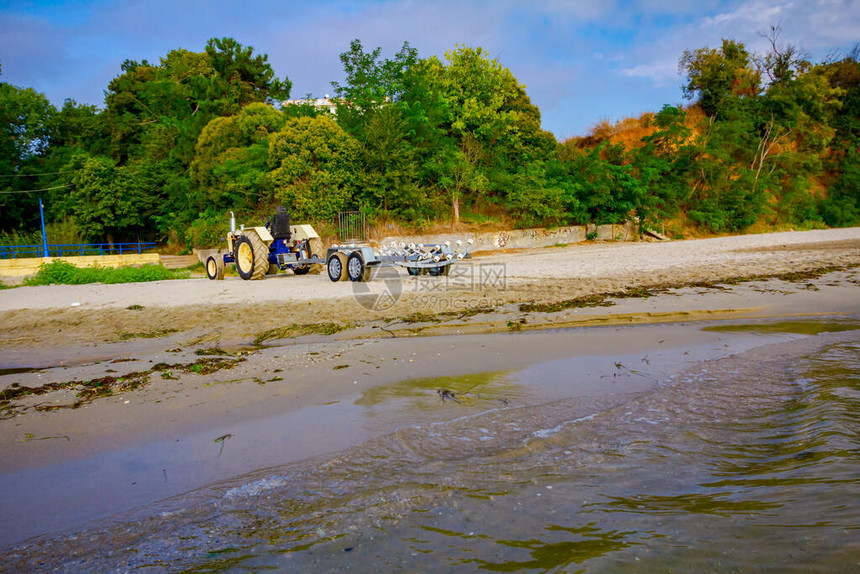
(213, 379)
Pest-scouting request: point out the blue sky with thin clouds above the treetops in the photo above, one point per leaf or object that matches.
(581, 61)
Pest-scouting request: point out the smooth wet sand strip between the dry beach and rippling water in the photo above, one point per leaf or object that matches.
(87, 482)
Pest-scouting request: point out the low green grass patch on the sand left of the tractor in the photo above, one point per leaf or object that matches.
(59, 272)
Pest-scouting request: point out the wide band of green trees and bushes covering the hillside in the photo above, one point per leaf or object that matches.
(767, 141)
